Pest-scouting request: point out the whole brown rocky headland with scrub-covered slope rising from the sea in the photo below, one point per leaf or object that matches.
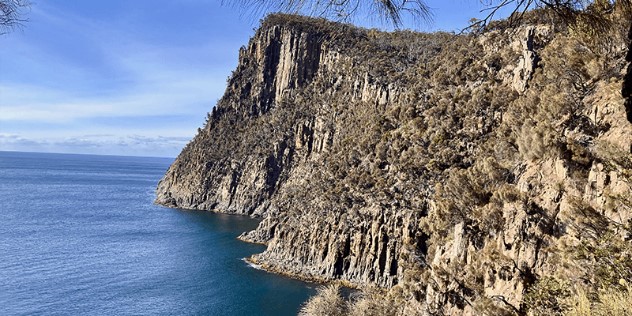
(480, 173)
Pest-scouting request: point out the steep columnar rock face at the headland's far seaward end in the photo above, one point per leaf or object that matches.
(241, 177)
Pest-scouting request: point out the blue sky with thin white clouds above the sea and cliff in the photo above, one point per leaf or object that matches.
(130, 77)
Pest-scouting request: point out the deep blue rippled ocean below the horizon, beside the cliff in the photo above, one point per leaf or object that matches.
(80, 235)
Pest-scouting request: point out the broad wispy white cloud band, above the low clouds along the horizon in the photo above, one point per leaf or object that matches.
(179, 96)
